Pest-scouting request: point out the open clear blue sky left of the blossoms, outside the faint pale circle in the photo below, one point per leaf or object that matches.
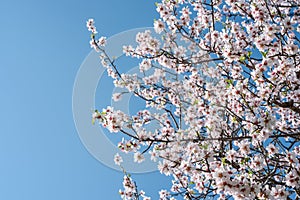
(42, 45)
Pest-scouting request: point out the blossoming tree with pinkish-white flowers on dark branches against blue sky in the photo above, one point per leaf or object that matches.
(225, 78)
